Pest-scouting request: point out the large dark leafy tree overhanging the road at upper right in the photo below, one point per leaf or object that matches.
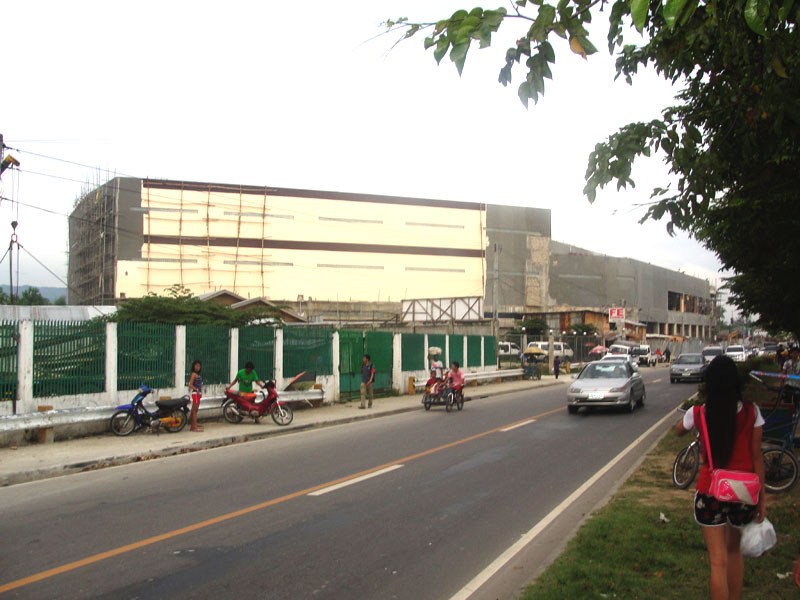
(732, 140)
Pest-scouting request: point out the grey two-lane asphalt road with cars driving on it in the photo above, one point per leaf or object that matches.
(448, 494)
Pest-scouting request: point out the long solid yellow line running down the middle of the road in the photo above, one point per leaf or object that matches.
(95, 558)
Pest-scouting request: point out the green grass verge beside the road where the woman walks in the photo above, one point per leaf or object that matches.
(624, 550)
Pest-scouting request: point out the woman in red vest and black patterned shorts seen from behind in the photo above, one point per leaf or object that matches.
(734, 435)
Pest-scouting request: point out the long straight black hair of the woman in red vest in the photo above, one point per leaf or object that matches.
(723, 392)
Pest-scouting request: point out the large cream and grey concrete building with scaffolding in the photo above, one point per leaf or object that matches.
(324, 253)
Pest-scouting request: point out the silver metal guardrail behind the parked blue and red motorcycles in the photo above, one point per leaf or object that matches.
(73, 416)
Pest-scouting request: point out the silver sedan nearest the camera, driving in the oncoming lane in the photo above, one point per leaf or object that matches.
(607, 383)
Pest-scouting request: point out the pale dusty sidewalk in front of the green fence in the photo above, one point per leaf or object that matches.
(34, 462)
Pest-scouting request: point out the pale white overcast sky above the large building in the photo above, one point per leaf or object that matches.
(309, 95)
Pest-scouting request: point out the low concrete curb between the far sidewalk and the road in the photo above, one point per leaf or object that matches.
(229, 440)
